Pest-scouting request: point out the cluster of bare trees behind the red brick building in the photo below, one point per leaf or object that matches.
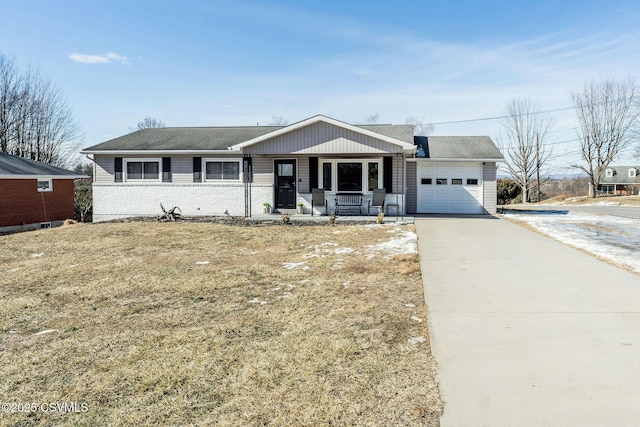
(35, 119)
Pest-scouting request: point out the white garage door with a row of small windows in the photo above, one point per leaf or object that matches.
(449, 188)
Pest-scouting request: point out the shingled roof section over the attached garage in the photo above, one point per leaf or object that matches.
(457, 147)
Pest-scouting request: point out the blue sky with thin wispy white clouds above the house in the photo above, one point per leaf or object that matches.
(208, 63)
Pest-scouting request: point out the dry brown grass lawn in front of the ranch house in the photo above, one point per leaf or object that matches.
(146, 336)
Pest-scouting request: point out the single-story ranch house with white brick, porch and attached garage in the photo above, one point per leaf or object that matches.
(234, 170)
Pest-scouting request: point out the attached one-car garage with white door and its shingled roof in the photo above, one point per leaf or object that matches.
(453, 175)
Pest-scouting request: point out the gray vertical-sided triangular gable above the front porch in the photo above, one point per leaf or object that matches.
(323, 138)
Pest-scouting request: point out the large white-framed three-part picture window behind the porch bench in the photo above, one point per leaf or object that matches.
(350, 175)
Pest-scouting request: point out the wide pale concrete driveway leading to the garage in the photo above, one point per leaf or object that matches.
(527, 331)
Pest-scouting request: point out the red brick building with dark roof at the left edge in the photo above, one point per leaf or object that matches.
(33, 192)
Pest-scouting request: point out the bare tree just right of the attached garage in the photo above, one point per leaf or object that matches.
(522, 139)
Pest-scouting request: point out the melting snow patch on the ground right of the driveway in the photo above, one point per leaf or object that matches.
(613, 238)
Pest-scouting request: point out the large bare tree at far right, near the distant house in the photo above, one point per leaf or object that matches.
(607, 113)
